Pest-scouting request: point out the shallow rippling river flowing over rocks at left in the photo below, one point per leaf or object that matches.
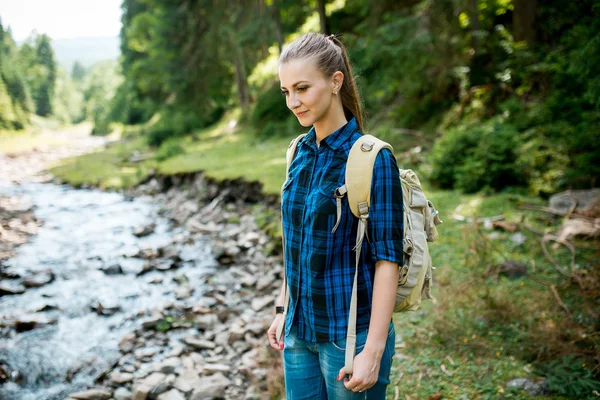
(83, 232)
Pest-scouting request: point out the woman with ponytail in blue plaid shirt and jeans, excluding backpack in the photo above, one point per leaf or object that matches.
(319, 88)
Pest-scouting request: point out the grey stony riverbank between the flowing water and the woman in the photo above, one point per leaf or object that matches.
(217, 347)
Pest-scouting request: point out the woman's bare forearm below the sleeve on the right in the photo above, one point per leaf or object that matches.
(384, 296)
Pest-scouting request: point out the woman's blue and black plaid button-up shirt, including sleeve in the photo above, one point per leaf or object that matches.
(320, 264)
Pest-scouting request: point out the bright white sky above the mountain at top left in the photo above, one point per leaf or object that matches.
(61, 19)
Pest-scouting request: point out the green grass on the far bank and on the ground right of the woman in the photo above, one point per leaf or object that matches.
(483, 330)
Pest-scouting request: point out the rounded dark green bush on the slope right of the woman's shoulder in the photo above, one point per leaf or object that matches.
(477, 156)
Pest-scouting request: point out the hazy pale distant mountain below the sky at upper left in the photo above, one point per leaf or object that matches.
(86, 50)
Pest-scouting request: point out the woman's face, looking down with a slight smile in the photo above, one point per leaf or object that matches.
(307, 92)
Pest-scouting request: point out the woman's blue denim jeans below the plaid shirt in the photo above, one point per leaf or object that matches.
(311, 369)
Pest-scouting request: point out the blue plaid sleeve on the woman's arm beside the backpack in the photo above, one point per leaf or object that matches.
(386, 220)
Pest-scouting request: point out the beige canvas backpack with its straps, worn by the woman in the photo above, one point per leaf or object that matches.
(420, 220)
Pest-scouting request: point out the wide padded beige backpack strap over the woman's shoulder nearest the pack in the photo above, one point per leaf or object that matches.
(359, 170)
